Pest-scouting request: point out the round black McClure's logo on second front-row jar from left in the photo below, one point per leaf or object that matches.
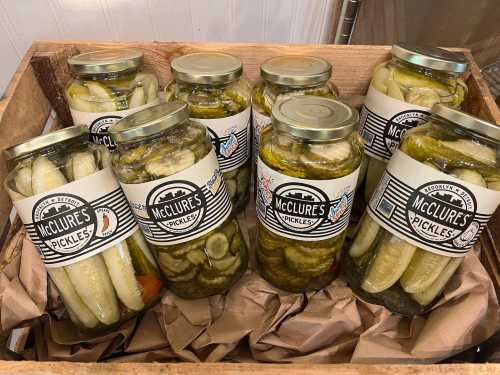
(176, 206)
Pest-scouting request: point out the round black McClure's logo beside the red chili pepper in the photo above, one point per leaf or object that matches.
(65, 223)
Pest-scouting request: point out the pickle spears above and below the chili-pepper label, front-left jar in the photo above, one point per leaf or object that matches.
(102, 289)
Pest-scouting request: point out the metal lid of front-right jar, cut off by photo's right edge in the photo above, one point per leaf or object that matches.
(467, 121)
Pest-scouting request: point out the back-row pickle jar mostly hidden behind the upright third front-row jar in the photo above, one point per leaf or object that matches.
(283, 77)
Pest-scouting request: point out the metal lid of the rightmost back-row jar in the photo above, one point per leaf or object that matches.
(431, 57)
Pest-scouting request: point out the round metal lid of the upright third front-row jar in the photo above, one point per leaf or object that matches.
(314, 118)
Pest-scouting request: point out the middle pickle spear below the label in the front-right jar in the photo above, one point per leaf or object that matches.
(423, 270)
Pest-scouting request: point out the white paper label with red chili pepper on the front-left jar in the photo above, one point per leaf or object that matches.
(77, 220)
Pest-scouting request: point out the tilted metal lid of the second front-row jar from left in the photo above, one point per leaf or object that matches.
(149, 121)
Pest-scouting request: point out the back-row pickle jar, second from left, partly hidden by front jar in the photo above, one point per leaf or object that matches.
(218, 97)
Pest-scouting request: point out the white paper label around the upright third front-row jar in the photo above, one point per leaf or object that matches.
(302, 209)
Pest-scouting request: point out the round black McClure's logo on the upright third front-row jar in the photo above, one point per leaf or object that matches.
(300, 207)
